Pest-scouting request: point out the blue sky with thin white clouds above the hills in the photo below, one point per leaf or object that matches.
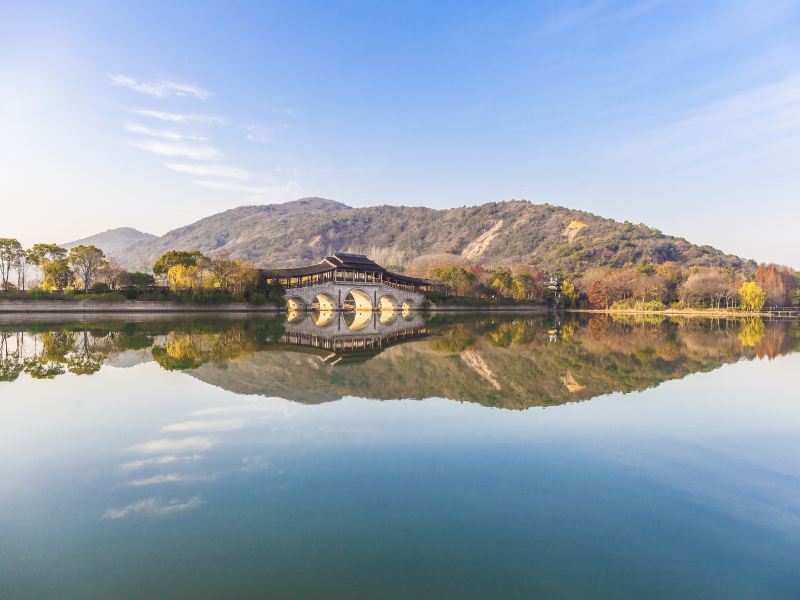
(683, 115)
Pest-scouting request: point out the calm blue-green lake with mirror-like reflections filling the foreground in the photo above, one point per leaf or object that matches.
(399, 456)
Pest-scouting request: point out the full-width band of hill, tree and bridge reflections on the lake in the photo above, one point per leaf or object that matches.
(509, 363)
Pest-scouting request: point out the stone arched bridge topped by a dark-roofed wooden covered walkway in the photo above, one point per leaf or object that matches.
(349, 282)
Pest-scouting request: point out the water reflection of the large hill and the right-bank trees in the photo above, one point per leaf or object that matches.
(509, 364)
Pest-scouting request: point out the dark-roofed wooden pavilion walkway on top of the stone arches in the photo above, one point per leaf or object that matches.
(345, 268)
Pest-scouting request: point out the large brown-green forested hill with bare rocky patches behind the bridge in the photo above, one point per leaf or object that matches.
(414, 238)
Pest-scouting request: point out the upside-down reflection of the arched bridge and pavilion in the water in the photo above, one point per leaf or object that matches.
(350, 337)
